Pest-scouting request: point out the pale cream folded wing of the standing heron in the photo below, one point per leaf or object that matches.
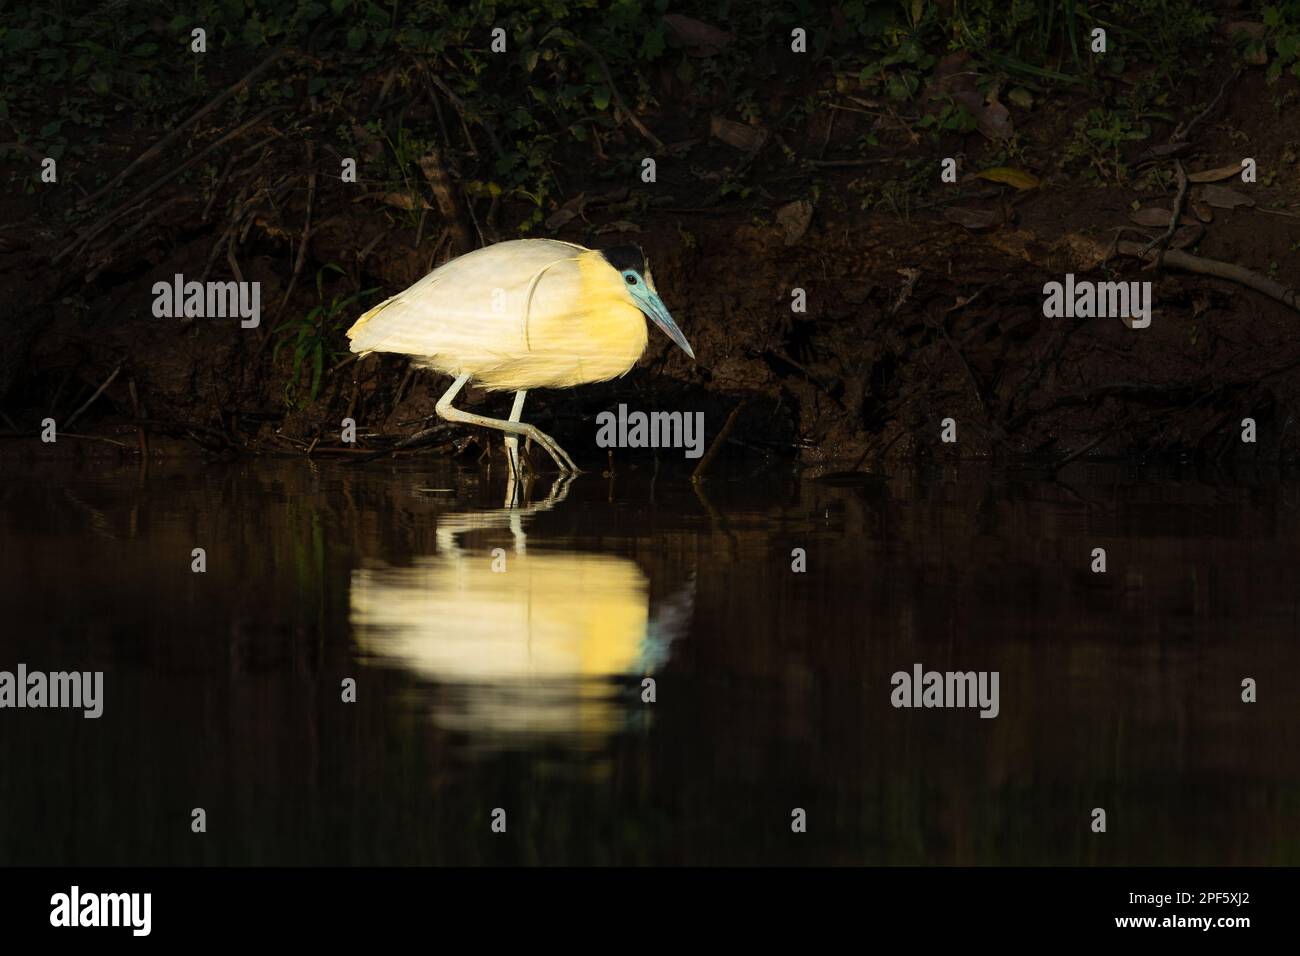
(474, 308)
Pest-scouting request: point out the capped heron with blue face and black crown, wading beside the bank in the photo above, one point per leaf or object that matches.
(522, 315)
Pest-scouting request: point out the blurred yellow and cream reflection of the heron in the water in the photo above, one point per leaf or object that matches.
(535, 650)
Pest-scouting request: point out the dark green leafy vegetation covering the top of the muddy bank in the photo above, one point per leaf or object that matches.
(522, 116)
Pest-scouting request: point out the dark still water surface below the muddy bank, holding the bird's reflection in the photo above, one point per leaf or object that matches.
(522, 689)
